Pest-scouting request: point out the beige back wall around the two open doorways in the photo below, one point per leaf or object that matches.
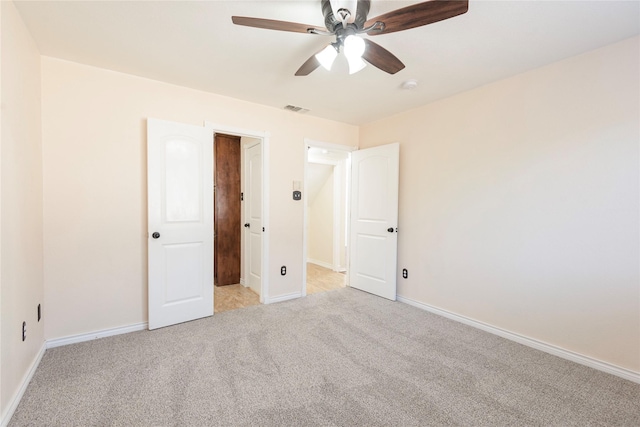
(95, 225)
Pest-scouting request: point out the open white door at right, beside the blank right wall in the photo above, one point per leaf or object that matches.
(374, 220)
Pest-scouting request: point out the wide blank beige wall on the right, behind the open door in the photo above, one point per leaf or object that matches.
(519, 203)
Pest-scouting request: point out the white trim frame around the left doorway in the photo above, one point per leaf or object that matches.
(264, 145)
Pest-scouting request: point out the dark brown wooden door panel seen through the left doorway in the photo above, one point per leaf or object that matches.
(227, 221)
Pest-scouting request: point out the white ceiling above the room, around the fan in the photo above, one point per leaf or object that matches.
(194, 44)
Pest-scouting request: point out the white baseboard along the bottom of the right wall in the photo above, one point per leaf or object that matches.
(530, 342)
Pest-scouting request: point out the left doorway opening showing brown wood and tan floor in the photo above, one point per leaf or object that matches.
(240, 235)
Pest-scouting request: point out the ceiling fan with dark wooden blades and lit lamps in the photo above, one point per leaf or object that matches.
(347, 19)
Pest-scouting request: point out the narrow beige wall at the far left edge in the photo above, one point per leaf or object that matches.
(21, 281)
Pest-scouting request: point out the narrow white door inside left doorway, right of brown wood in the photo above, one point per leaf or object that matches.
(253, 216)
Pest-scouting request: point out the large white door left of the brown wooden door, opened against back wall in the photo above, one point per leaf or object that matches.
(180, 205)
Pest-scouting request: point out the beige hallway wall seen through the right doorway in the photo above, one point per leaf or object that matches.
(320, 220)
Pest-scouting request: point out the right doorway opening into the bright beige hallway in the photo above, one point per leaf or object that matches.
(326, 216)
